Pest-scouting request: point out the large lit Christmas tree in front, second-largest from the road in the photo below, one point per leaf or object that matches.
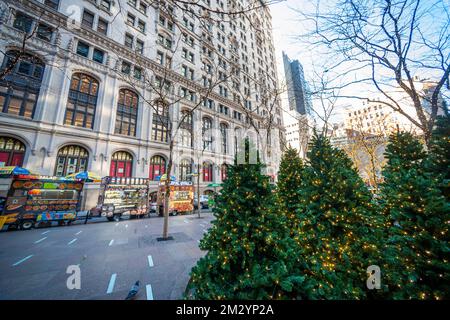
(340, 233)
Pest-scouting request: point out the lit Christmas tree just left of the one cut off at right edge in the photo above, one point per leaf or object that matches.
(418, 250)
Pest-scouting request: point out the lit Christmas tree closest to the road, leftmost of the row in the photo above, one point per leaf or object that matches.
(249, 251)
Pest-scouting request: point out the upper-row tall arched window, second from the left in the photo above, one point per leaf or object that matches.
(82, 101)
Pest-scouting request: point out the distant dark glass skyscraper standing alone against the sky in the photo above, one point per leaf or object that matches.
(299, 99)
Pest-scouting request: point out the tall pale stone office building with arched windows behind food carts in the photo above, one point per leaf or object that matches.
(78, 98)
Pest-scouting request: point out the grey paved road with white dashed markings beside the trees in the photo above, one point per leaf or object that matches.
(112, 256)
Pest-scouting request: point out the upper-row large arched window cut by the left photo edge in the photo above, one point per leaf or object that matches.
(19, 89)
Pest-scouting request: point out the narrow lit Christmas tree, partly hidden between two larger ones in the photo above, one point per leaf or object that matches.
(288, 187)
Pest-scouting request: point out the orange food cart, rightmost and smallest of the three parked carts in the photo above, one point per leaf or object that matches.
(181, 199)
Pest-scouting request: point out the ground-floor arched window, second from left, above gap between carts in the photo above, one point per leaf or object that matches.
(71, 159)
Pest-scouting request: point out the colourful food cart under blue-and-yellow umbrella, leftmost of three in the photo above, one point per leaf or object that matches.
(27, 199)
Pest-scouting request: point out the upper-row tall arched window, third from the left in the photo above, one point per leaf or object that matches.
(126, 116)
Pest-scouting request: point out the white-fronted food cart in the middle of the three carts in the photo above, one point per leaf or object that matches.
(120, 196)
